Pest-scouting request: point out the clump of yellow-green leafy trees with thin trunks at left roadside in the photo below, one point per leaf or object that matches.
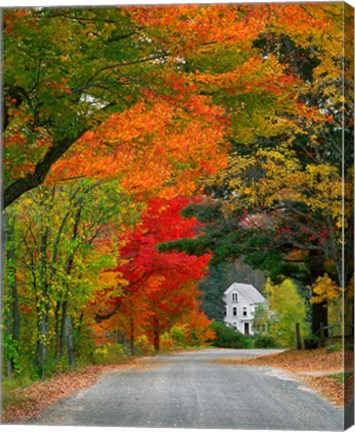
(55, 238)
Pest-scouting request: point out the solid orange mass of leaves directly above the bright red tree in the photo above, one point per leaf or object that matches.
(178, 146)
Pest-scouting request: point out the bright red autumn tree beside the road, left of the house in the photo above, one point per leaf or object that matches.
(161, 286)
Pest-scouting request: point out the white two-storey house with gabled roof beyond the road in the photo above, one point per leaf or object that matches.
(241, 301)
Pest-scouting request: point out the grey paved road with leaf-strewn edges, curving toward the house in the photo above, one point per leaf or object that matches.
(191, 390)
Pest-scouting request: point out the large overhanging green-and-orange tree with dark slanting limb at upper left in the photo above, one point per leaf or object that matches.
(68, 70)
